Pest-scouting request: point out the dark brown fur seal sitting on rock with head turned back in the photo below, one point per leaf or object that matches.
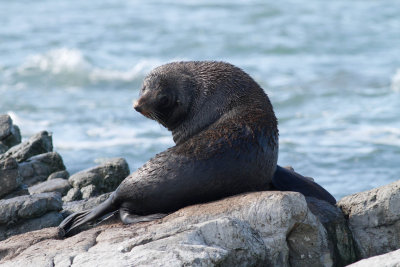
(226, 138)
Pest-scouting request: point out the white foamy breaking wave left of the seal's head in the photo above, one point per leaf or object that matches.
(69, 67)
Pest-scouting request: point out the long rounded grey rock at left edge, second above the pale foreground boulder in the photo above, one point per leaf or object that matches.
(17, 209)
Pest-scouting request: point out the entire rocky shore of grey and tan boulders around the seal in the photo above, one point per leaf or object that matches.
(253, 229)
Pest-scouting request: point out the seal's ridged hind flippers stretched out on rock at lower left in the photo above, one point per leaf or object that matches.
(77, 219)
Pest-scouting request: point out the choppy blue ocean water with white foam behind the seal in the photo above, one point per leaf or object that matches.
(331, 69)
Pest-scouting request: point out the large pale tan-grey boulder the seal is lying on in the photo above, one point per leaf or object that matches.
(255, 229)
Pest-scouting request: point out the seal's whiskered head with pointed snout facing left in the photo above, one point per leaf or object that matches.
(163, 98)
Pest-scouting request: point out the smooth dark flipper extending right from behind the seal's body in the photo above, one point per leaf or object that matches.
(287, 180)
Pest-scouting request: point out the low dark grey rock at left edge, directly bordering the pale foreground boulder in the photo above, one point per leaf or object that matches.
(50, 219)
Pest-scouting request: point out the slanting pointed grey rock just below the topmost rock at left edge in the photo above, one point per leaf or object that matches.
(38, 144)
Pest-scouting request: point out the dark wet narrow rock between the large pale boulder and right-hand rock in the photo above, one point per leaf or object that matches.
(340, 238)
